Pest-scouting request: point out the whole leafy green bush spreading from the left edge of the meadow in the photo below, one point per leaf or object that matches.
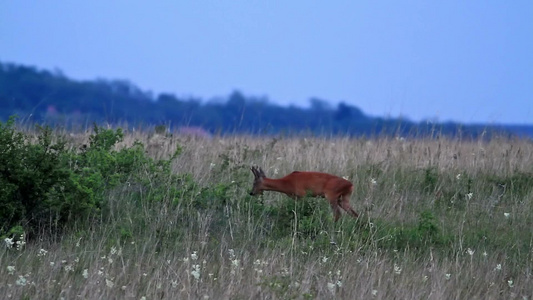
(47, 186)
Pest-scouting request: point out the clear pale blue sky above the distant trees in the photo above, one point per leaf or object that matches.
(468, 61)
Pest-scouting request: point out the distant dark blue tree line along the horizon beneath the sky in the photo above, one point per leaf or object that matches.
(50, 97)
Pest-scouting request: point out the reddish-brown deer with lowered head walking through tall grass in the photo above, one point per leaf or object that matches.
(335, 189)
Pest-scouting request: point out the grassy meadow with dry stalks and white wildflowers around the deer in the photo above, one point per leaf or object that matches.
(442, 218)
